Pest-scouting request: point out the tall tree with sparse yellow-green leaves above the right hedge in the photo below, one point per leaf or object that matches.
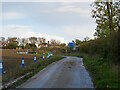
(106, 15)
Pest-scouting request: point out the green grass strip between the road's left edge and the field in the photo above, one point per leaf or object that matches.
(35, 68)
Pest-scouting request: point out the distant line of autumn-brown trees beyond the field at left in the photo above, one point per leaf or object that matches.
(13, 42)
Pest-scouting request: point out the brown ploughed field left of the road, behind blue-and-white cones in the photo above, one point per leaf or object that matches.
(12, 64)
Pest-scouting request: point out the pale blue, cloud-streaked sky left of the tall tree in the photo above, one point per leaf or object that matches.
(63, 21)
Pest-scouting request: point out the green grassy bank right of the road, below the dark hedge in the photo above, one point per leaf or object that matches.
(104, 74)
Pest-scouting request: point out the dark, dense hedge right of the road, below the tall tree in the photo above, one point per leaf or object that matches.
(106, 47)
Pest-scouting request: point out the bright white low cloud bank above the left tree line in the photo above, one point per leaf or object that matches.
(26, 32)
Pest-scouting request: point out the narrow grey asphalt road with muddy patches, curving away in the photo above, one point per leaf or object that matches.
(66, 73)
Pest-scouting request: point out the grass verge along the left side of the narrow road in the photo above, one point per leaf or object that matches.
(35, 69)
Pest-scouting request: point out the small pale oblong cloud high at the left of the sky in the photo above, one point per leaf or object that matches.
(12, 15)
